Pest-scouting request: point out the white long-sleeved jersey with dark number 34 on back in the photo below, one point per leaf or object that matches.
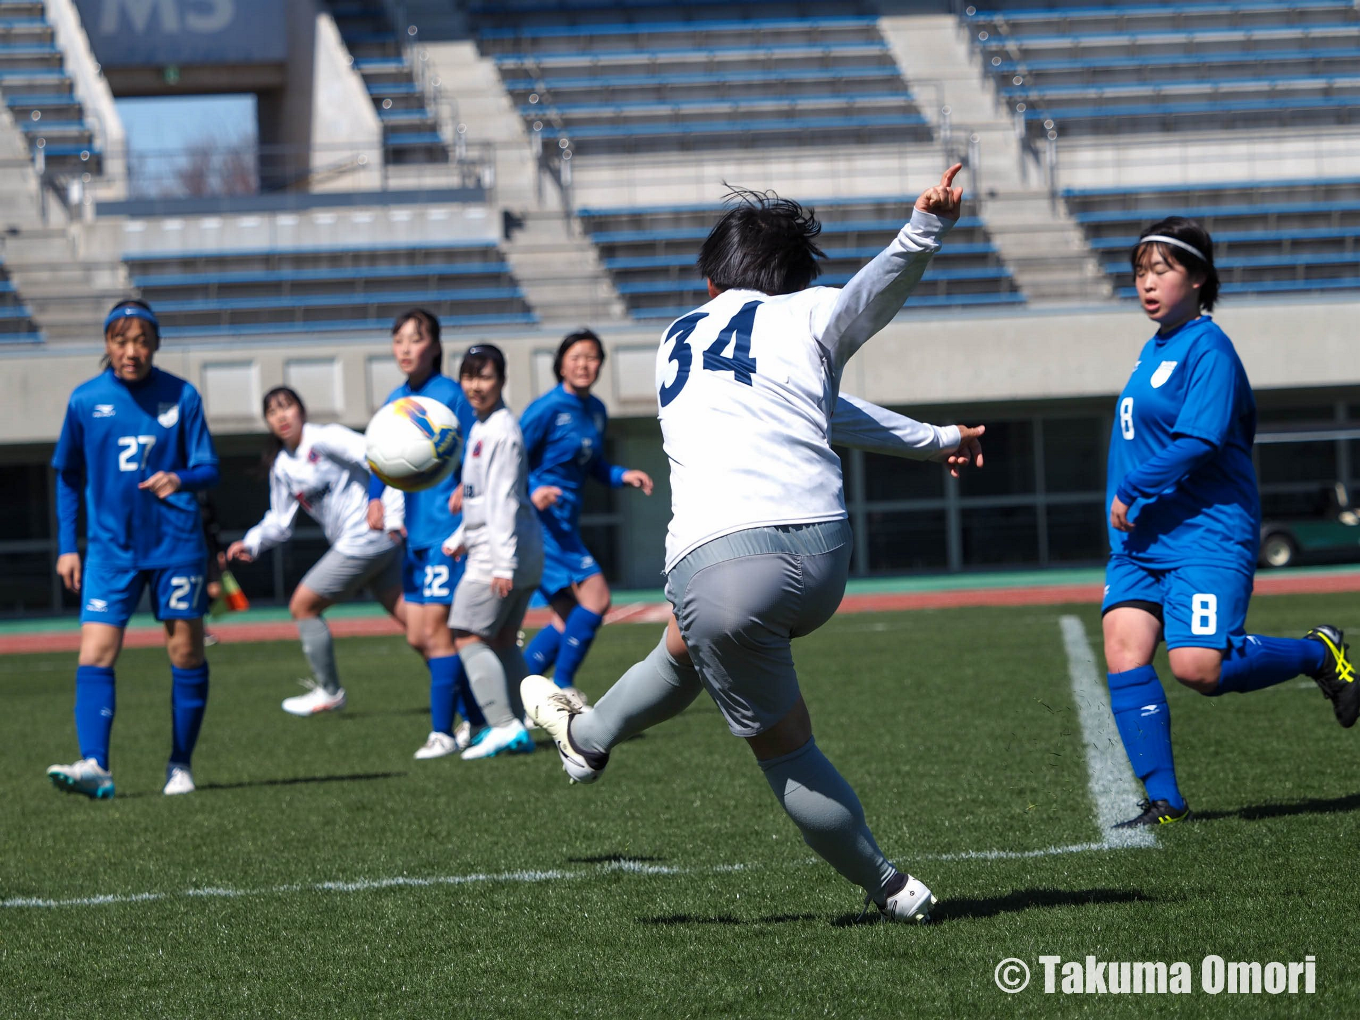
(749, 386)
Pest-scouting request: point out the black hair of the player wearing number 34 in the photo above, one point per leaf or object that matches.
(762, 244)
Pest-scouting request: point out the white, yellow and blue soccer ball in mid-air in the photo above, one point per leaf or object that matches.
(413, 443)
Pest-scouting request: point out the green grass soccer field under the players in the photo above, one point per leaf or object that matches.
(320, 871)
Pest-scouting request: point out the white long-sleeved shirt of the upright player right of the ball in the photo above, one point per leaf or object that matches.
(500, 527)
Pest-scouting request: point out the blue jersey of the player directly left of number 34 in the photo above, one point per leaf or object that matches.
(564, 440)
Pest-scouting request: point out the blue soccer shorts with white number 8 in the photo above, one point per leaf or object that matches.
(1203, 607)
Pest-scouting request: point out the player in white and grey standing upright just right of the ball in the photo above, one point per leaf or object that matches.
(504, 547)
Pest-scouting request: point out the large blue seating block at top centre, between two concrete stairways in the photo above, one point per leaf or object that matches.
(649, 77)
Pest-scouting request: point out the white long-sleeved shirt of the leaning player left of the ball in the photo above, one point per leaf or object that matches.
(327, 477)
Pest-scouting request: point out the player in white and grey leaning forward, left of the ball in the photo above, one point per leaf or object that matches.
(324, 471)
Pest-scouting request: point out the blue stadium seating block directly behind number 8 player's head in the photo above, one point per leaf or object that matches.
(1278, 237)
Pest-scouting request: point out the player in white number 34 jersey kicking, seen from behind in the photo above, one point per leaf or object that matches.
(760, 545)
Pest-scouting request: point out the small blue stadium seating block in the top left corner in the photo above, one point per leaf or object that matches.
(39, 92)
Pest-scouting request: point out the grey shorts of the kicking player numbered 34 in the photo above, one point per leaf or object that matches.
(742, 599)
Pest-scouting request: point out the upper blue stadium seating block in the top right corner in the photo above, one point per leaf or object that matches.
(1151, 67)
